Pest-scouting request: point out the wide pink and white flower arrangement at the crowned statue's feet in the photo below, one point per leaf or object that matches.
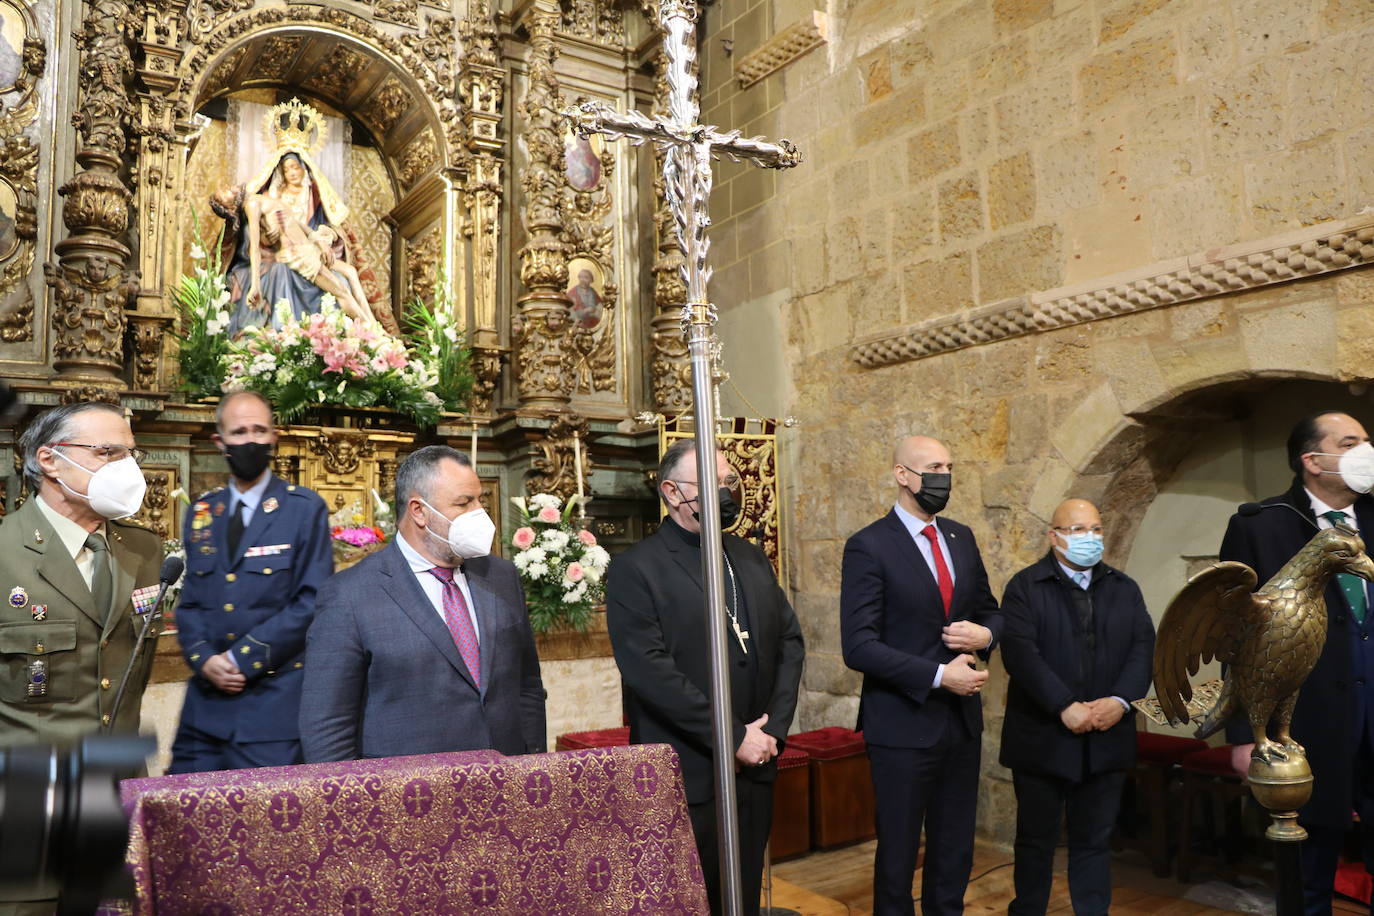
(321, 359)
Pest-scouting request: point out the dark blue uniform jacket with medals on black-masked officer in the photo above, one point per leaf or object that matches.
(258, 605)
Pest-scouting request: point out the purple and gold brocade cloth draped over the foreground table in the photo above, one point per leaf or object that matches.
(589, 832)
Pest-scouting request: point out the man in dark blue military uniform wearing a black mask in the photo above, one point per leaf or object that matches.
(256, 553)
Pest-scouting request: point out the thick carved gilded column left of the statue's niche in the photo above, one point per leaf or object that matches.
(91, 281)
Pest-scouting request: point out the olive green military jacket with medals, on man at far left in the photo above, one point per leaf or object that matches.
(47, 616)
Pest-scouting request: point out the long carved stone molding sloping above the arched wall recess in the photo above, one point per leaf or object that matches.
(1305, 253)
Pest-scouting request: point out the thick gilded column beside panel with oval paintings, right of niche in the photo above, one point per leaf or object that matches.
(543, 344)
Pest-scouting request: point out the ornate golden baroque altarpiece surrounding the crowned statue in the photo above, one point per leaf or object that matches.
(553, 248)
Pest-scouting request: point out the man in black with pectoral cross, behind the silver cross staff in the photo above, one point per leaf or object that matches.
(656, 610)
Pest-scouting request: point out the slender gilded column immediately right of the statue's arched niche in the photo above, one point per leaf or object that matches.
(483, 90)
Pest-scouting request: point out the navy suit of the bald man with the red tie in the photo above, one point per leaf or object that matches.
(924, 742)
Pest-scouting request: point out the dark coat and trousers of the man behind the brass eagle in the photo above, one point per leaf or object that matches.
(1335, 713)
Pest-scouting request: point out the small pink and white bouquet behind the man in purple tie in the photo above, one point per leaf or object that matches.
(561, 566)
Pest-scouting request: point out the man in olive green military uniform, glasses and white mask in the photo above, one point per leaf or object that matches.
(76, 579)
